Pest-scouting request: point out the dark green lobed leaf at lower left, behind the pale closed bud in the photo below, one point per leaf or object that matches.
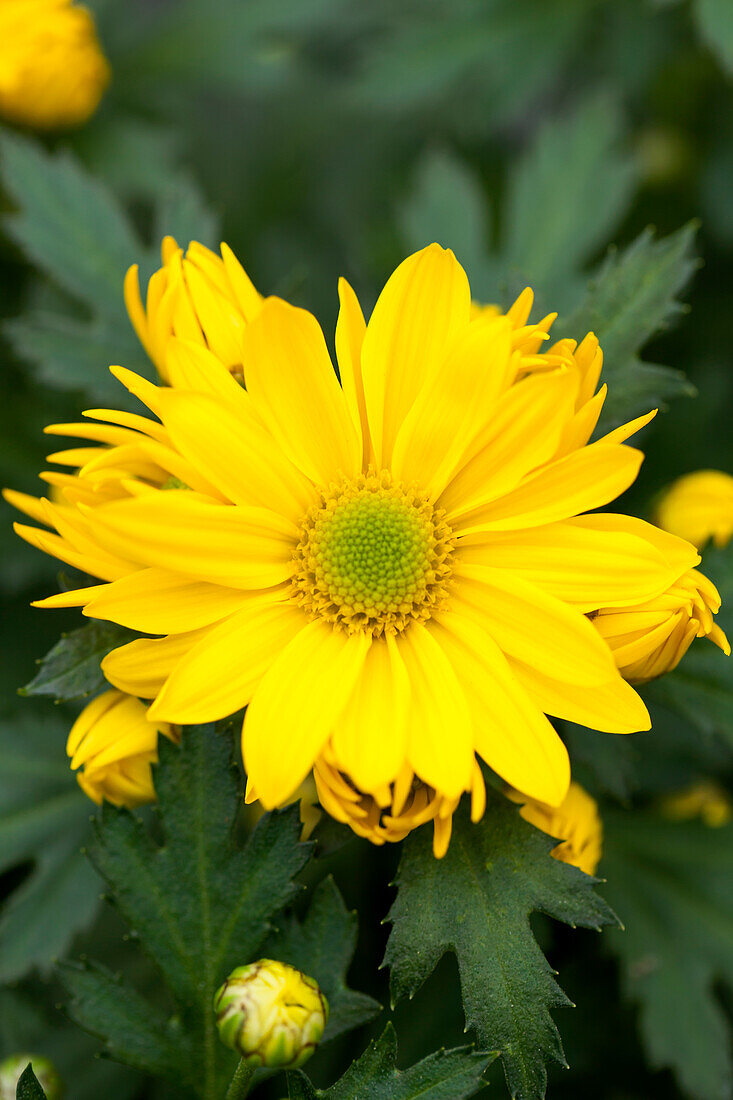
(199, 905)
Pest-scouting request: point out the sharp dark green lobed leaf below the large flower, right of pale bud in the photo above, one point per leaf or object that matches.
(476, 903)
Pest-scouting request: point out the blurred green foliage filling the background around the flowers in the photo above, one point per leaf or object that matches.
(331, 137)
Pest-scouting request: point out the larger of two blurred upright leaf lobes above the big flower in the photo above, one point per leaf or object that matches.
(553, 228)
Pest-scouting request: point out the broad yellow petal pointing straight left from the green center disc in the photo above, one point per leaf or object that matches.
(243, 548)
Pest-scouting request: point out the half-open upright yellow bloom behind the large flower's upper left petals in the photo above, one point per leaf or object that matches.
(198, 296)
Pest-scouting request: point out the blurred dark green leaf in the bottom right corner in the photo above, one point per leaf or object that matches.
(673, 886)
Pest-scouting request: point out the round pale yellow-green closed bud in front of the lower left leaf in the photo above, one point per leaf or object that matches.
(271, 1014)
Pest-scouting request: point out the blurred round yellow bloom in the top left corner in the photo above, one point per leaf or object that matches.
(52, 70)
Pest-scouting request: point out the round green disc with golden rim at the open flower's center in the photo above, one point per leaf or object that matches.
(374, 556)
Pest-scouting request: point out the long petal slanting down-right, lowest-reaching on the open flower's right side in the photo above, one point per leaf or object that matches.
(510, 731)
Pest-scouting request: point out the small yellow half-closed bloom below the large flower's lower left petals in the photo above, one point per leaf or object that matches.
(113, 745)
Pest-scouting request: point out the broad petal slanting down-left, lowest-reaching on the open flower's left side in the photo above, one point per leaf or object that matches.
(298, 706)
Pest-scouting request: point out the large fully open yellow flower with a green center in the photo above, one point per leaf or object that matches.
(393, 574)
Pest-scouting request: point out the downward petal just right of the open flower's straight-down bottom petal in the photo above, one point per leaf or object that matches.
(441, 728)
